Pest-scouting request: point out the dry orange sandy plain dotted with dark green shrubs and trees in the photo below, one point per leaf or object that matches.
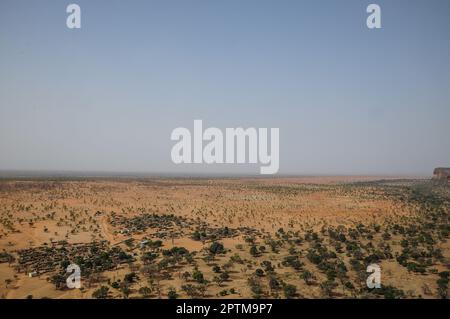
(303, 237)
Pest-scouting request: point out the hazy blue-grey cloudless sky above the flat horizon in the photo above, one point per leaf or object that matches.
(106, 97)
